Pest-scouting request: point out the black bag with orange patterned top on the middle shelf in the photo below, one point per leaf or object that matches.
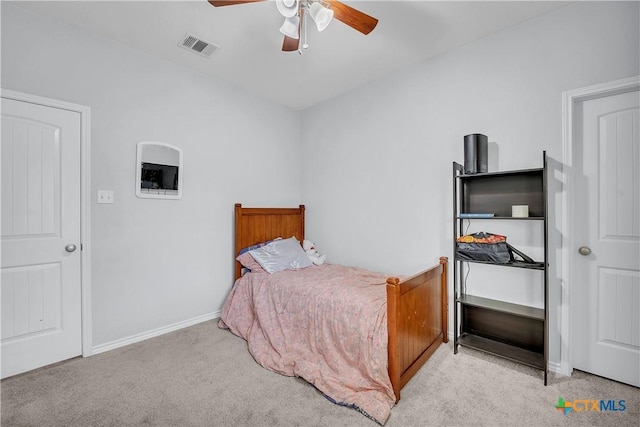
(488, 247)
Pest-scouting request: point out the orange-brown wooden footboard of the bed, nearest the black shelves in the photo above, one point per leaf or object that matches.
(416, 321)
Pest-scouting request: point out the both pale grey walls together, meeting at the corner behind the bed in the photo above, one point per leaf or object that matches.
(376, 182)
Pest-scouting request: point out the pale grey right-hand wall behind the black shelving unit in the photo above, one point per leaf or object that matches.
(377, 182)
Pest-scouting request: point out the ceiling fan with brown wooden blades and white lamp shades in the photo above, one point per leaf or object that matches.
(321, 11)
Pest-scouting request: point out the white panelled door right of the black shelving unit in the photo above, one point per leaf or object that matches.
(605, 289)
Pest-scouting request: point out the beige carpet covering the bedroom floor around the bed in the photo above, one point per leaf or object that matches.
(204, 376)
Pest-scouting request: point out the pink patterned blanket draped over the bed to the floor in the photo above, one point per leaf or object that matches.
(326, 324)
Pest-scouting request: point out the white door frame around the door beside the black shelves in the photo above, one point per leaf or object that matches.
(569, 101)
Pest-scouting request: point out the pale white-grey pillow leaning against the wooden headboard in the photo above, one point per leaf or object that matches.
(285, 254)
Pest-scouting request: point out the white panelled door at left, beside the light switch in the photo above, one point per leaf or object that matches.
(40, 226)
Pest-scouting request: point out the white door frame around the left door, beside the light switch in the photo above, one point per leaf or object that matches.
(85, 202)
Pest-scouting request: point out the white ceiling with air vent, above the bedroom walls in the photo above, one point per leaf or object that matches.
(339, 58)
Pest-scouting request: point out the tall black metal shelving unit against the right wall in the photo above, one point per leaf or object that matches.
(512, 331)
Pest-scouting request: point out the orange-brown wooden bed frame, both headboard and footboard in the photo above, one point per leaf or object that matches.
(416, 305)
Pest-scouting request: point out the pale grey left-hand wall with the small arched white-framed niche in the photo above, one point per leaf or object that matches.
(157, 262)
